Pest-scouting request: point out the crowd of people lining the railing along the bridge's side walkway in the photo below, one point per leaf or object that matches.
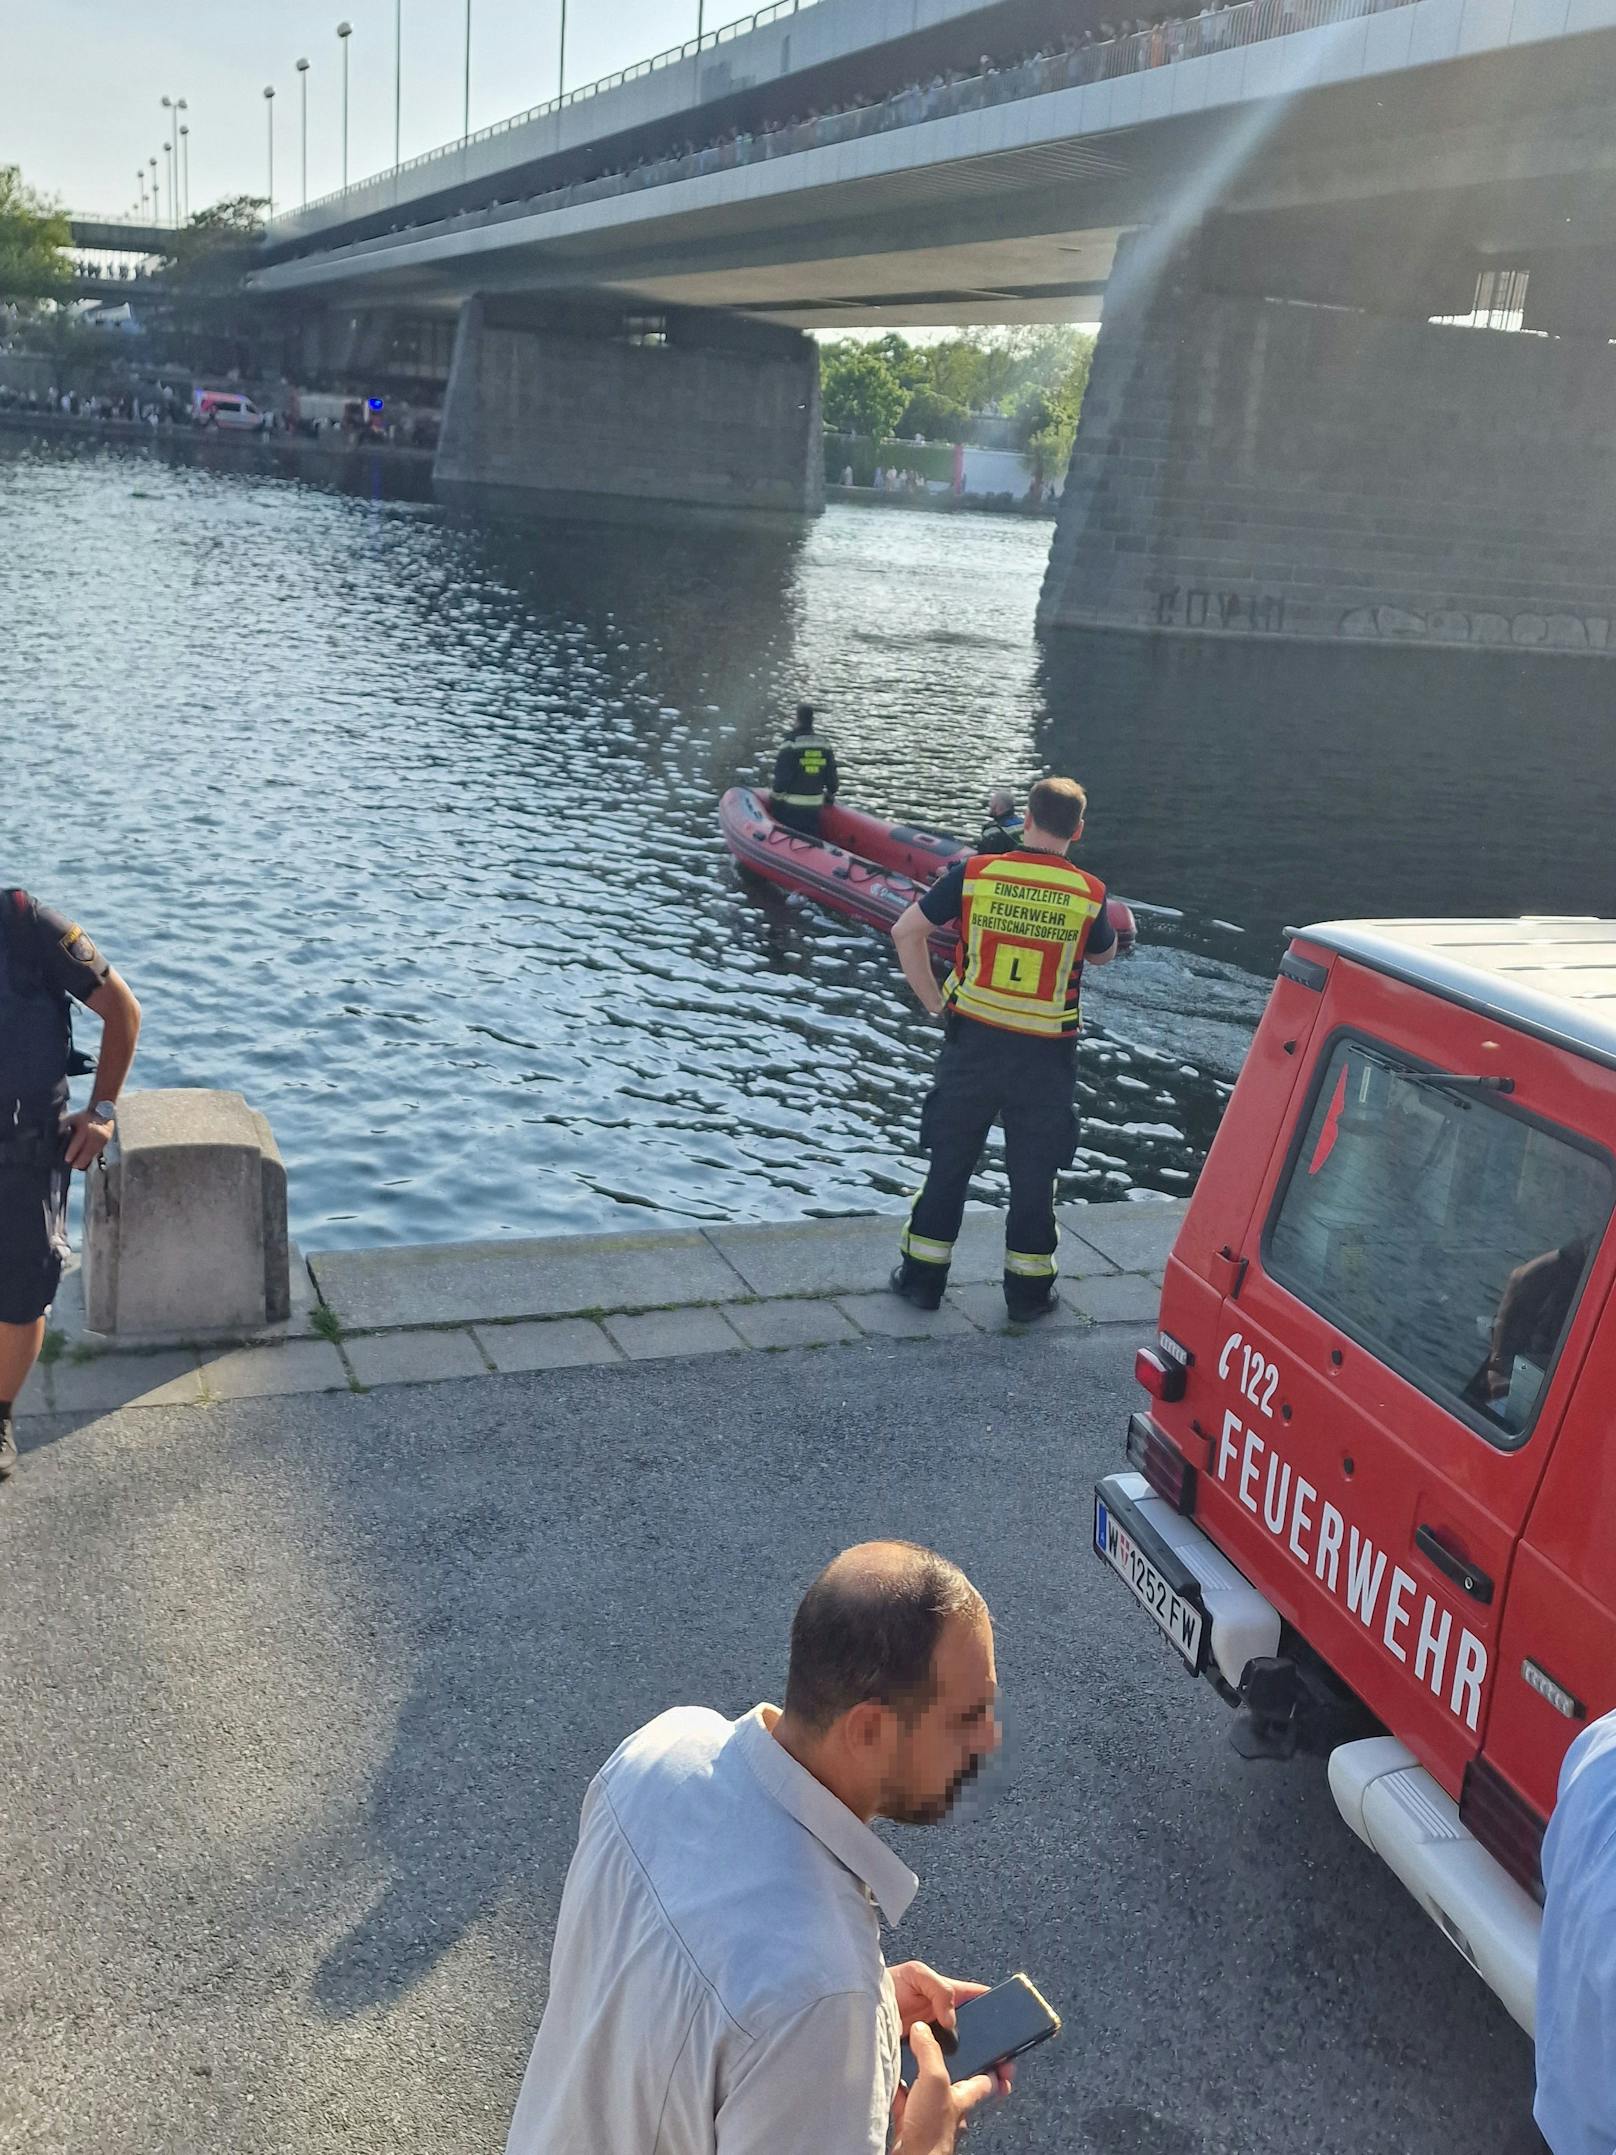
(1096, 55)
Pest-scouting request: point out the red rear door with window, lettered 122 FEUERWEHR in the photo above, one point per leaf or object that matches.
(1380, 1408)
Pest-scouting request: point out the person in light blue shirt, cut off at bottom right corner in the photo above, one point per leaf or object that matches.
(1576, 2029)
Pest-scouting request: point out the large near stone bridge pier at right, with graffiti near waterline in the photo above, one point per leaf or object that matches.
(1281, 441)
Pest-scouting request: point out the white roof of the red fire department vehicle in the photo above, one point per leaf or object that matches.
(1552, 977)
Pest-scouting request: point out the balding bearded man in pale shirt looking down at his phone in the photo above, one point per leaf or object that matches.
(719, 1984)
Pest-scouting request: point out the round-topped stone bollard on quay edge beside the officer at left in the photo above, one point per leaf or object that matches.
(186, 1227)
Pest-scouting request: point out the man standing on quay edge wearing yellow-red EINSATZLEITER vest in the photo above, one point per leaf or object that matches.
(1029, 923)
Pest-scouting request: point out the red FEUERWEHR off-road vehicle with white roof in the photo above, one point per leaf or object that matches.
(1376, 1482)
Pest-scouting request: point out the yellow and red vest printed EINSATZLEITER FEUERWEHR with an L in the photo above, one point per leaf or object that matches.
(1025, 923)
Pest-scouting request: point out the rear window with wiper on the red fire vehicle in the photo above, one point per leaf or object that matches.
(1443, 1229)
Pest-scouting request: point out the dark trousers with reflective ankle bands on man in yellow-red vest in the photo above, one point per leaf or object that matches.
(988, 1074)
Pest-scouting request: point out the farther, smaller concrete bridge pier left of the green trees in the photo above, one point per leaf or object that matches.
(596, 411)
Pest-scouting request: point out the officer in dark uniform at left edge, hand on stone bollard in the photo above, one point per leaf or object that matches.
(44, 962)
